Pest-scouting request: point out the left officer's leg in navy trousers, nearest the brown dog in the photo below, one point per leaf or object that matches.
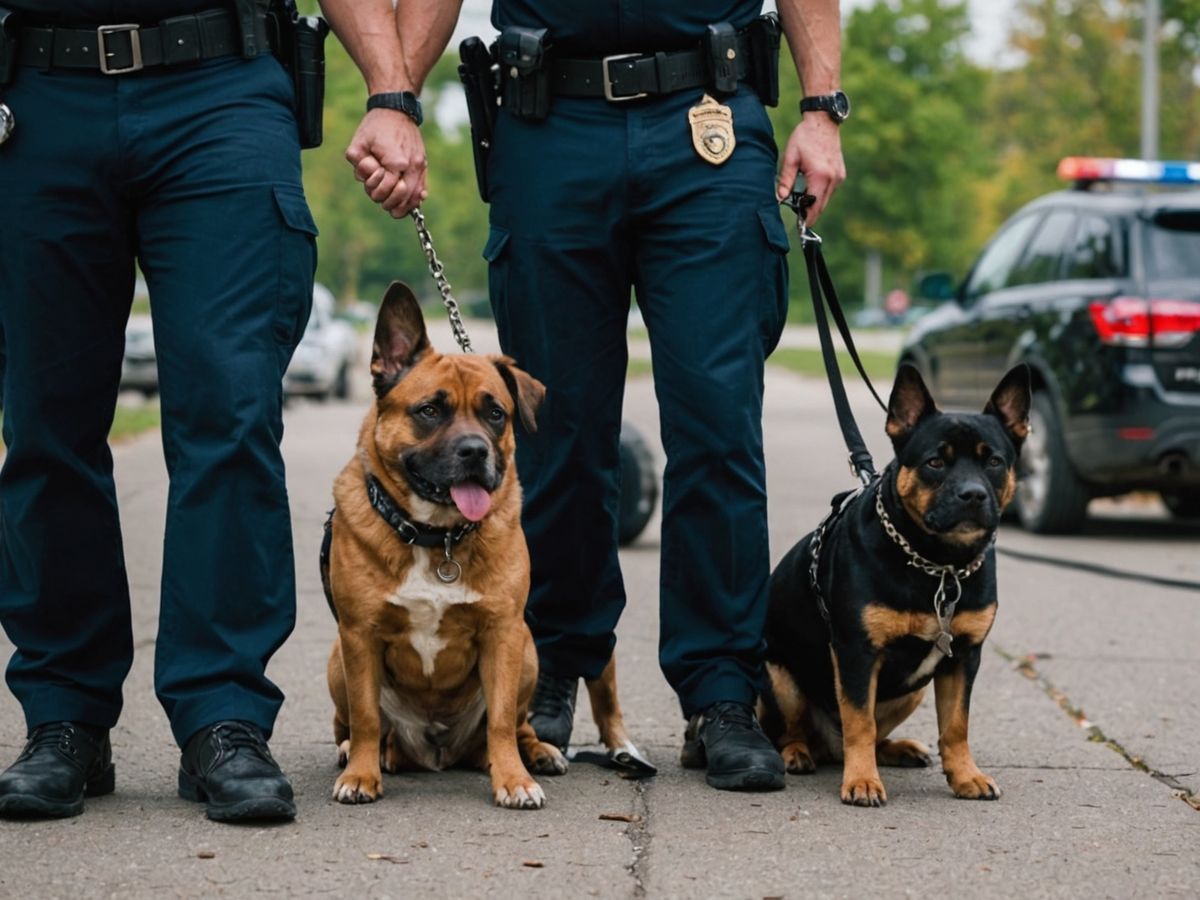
(229, 251)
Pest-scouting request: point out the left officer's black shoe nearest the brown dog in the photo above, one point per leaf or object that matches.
(229, 766)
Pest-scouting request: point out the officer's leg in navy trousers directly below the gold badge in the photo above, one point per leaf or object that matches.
(713, 290)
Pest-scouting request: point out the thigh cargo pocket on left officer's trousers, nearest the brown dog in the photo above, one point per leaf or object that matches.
(297, 267)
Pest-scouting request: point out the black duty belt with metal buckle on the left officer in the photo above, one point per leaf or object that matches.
(116, 50)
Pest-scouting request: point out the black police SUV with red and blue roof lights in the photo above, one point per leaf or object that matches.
(1097, 289)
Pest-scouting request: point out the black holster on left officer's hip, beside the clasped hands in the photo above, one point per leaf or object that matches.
(299, 44)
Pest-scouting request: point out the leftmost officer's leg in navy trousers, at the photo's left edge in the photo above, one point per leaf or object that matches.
(67, 281)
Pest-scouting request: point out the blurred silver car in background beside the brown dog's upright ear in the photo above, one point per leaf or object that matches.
(323, 362)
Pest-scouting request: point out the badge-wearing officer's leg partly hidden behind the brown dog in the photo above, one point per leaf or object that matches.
(561, 286)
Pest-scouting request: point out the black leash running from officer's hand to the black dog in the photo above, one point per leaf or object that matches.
(825, 295)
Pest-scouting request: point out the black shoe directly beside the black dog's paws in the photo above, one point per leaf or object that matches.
(729, 742)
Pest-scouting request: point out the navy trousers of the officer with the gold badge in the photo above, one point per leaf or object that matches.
(593, 202)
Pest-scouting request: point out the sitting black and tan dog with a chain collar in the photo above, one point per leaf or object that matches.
(903, 592)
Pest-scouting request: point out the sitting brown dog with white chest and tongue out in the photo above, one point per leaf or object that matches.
(428, 574)
